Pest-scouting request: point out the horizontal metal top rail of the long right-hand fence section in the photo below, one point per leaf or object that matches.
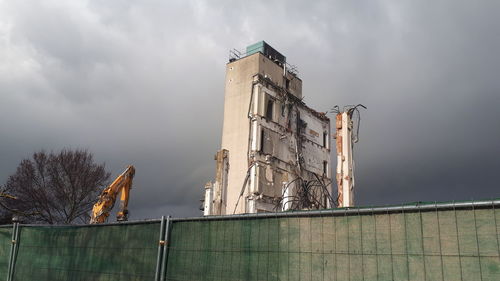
(355, 211)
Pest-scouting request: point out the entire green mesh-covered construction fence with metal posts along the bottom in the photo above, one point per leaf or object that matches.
(433, 241)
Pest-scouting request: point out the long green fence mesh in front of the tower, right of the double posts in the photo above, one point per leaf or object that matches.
(444, 245)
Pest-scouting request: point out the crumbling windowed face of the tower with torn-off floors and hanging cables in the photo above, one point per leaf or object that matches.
(289, 141)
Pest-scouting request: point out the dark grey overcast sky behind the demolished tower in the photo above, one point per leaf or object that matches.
(142, 83)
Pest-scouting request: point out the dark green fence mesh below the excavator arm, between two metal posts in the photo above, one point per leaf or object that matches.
(98, 253)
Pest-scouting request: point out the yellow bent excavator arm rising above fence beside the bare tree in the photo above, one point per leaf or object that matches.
(122, 184)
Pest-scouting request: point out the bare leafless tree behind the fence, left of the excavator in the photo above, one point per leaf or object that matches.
(56, 188)
